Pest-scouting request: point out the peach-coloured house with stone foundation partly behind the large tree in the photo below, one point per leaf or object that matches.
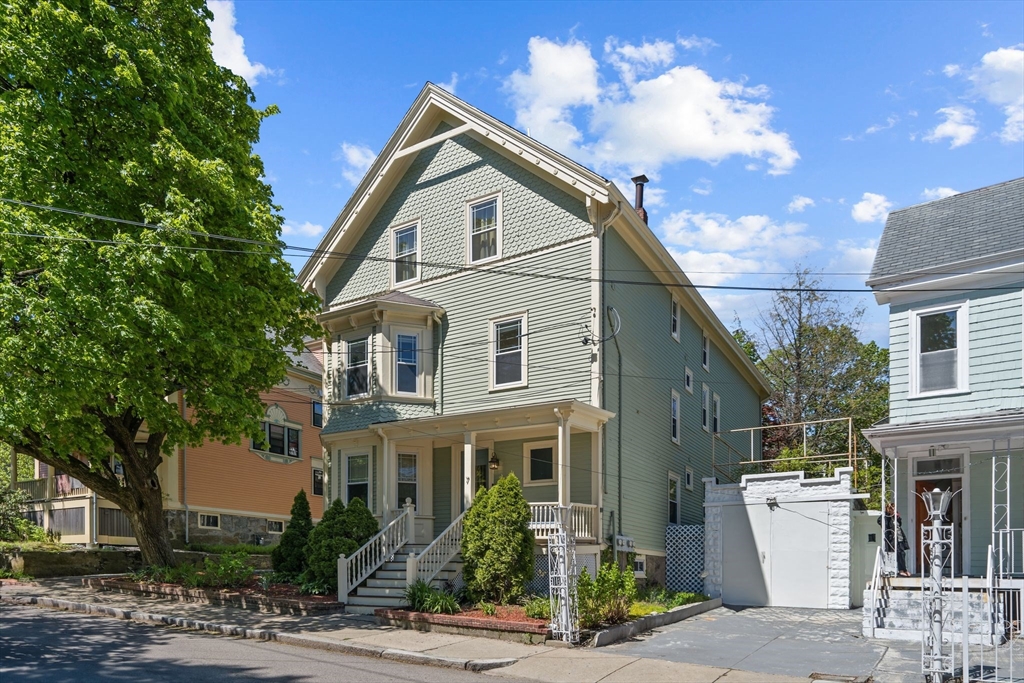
(228, 493)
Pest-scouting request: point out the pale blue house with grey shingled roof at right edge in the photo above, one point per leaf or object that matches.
(953, 274)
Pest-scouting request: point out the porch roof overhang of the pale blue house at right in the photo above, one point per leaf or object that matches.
(1004, 430)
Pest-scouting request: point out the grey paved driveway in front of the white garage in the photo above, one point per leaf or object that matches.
(781, 642)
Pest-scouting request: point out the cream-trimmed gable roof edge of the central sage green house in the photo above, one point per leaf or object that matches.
(606, 203)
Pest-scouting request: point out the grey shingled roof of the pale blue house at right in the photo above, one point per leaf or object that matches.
(972, 226)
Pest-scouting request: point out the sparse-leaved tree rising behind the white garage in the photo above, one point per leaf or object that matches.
(806, 343)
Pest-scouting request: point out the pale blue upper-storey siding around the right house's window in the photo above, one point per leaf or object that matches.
(995, 358)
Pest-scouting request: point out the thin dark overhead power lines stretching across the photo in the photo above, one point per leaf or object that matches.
(454, 268)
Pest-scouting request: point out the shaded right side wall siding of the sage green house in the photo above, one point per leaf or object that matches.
(654, 365)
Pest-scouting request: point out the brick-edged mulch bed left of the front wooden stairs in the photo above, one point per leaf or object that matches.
(281, 599)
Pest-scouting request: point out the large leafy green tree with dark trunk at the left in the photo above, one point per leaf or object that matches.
(116, 108)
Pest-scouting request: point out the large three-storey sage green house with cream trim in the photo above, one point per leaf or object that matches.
(493, 308)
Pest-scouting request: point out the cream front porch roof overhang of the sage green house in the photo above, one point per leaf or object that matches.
(581, 416)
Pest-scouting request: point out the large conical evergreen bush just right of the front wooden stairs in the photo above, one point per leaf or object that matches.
(498, 544)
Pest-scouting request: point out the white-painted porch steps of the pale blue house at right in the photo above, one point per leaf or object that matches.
(900, 615)
